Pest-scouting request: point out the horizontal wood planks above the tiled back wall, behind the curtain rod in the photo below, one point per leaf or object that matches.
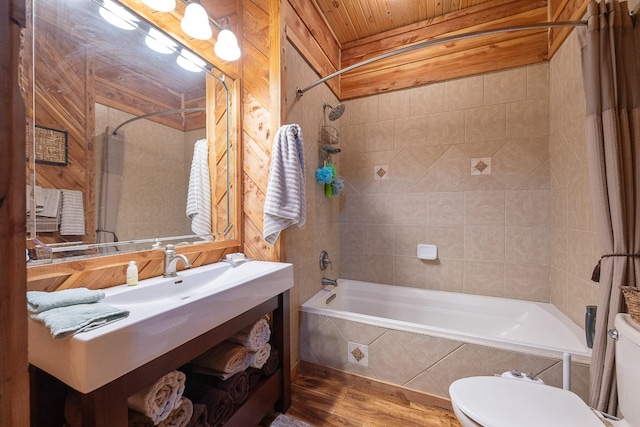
(451, 60)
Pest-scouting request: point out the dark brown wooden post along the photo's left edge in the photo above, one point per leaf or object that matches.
(14, 379)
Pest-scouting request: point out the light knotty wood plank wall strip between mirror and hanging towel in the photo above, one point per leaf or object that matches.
(260, 117)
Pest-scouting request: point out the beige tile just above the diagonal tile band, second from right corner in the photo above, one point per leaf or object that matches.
(485, 123)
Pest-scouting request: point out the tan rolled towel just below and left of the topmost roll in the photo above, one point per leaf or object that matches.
(225, 358)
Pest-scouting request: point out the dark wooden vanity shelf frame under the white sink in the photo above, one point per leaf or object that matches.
(107, 406)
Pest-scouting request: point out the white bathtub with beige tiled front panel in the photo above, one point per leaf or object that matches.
(430, 357)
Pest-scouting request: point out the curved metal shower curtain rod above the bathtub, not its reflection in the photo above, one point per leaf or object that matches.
(433, 42)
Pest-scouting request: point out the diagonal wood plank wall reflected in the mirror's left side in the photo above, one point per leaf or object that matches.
(66, 102)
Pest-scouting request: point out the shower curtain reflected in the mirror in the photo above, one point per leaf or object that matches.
(112, 160)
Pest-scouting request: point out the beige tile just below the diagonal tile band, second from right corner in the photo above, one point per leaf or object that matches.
(484, 208)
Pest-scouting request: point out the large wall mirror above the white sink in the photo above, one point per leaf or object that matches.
(102, 90)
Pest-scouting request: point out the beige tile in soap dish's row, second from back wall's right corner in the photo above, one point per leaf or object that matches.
(484, 243)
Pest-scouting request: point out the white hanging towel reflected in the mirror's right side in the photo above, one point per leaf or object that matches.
(199, 193)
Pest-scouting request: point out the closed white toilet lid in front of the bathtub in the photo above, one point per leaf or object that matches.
(506, 402)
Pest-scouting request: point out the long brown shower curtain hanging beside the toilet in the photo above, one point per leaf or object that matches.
(612, 92)
